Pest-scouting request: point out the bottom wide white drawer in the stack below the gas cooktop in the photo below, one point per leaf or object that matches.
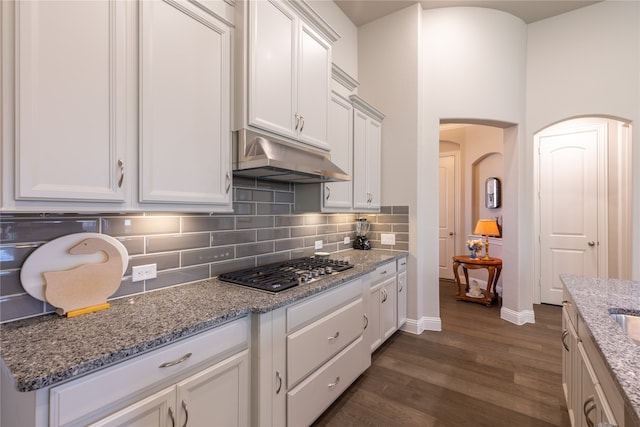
(307, 401)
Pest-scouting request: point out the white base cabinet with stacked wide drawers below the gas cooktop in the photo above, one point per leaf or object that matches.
(305, 355)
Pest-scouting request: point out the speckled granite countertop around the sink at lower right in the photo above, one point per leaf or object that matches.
(593, 299)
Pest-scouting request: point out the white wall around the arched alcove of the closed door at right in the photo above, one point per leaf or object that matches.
(587, 62)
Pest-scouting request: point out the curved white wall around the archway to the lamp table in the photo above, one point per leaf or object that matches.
(475, 62)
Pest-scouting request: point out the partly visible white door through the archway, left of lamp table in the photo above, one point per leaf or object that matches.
(447, 215)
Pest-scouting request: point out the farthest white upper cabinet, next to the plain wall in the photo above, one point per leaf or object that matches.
(367, 136)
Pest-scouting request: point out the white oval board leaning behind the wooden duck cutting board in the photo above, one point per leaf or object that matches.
(54, 255)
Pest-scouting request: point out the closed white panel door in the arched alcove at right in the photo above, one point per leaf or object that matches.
(569, 206)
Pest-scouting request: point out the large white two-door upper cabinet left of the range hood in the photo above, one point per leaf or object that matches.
(114, 106)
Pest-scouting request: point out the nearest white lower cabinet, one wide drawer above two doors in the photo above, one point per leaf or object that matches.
(204, 378)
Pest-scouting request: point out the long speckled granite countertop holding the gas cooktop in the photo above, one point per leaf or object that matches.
(45, 350)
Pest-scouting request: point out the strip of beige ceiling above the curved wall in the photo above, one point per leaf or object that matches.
(361, 12)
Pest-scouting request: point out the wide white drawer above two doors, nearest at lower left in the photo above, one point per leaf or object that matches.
(112, 386)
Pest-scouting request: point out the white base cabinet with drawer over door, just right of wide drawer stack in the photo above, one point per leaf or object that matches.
(382, 312)
